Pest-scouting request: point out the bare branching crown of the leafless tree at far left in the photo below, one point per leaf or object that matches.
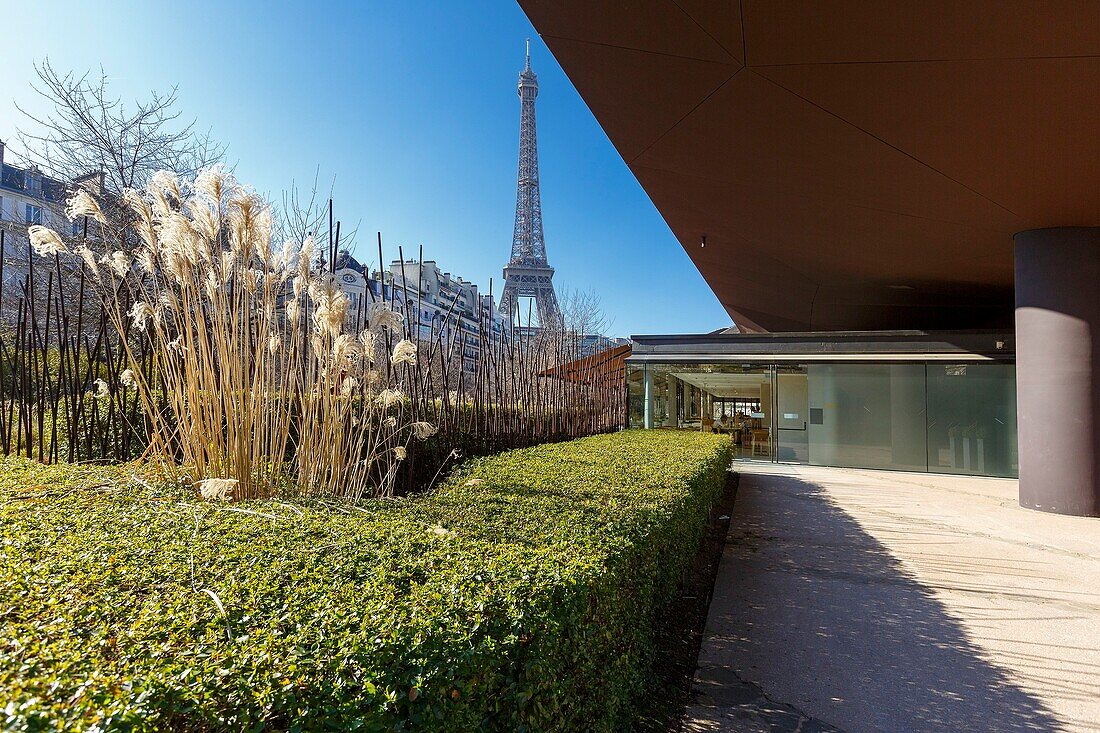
(89, 130)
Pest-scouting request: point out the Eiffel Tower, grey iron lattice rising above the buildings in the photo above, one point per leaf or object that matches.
(529, 273)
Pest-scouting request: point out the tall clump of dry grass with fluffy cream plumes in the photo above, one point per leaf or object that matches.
(256, 379)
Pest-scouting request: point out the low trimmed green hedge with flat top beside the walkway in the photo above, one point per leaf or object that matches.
(521, 596)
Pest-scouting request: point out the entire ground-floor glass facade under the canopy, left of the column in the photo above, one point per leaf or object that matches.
(911, 417)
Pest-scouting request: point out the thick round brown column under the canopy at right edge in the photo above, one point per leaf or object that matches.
(1058, 358)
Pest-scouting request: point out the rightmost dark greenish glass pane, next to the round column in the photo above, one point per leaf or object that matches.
(973, 420)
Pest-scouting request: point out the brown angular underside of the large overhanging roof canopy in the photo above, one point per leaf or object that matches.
(854, 166)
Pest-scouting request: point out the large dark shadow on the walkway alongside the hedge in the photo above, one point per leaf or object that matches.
(812, 610)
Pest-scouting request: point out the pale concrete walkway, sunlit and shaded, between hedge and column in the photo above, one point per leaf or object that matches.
(876, 601)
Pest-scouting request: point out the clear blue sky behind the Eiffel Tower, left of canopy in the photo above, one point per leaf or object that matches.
(411, 106)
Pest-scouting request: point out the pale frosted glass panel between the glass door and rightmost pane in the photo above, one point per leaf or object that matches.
(867, 415)
